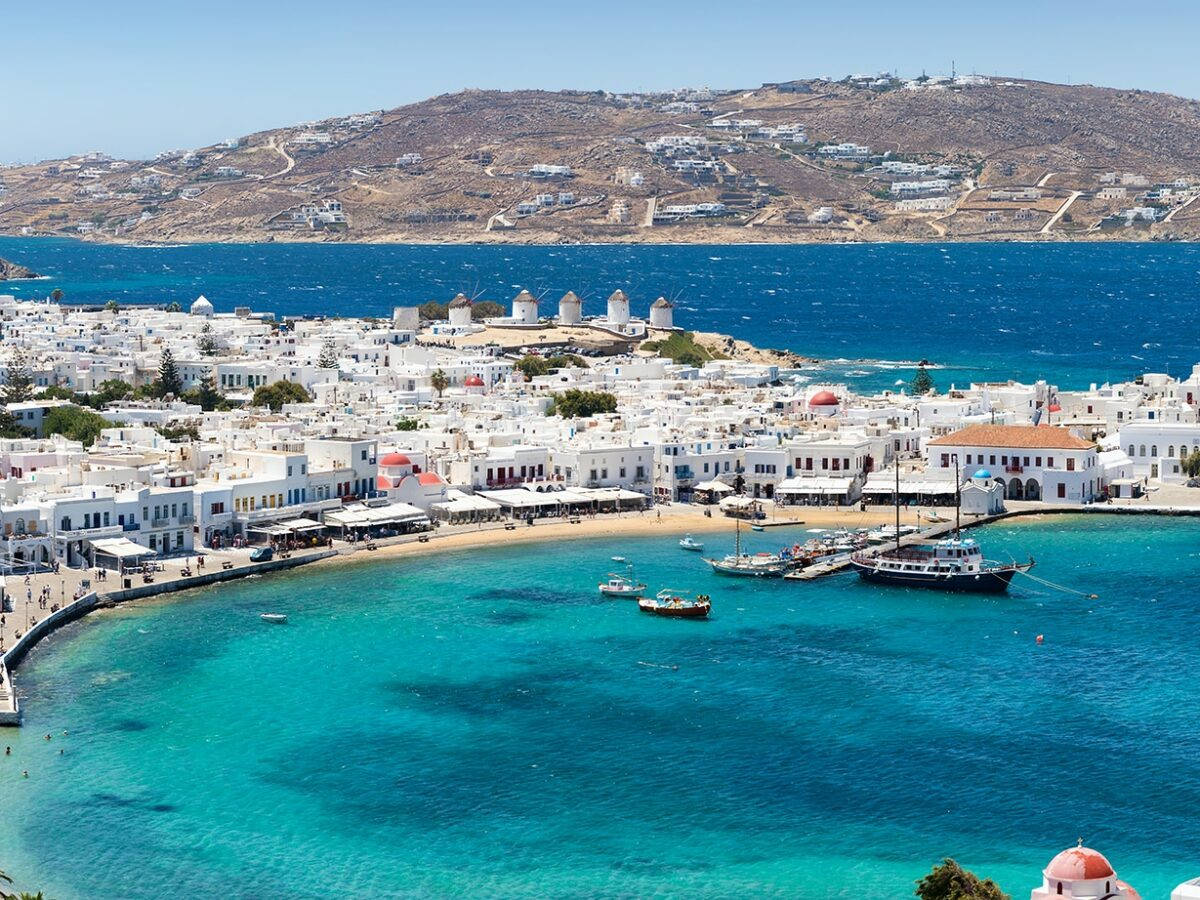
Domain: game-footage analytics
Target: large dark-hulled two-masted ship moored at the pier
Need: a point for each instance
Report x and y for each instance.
(953, 565)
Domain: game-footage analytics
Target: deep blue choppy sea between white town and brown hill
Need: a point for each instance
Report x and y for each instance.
(1070, 314)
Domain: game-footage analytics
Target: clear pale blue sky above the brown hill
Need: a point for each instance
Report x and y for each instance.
(133, 77)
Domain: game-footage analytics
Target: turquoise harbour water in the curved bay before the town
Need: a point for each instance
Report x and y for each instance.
(483, 724)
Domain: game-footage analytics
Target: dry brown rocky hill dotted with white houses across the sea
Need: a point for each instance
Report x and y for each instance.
(805, 161)
